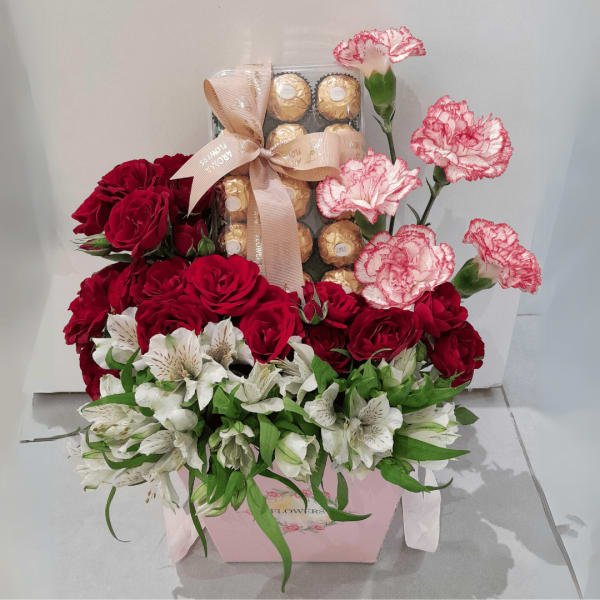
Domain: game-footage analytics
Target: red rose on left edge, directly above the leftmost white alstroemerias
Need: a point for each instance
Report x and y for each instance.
(91, 306)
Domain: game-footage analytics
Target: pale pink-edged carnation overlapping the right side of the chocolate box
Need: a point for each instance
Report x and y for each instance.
(373, 185)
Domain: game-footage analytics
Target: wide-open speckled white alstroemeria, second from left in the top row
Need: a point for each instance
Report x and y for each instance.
(178, 357)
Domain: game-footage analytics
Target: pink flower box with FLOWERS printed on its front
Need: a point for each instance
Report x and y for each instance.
(311, 535)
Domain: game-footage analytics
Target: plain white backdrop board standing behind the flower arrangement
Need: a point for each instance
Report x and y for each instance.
(112, 80)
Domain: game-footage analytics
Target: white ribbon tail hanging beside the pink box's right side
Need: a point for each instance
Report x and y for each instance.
(421, 514)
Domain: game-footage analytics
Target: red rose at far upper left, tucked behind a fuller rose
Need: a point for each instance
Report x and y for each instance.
(132, 175)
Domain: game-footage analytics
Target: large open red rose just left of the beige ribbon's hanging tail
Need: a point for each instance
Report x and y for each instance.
(227, 286)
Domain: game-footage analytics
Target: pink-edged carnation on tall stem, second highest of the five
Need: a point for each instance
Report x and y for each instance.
(450, 138)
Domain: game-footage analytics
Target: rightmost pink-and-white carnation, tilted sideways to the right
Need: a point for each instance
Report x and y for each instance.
(501, 257)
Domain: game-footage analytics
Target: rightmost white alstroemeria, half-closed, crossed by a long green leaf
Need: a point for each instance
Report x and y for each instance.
(434, 425)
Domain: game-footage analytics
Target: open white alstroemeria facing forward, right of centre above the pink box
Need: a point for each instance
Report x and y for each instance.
(367, 436)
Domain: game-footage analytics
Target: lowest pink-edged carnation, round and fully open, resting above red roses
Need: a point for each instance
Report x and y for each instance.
(398, 269)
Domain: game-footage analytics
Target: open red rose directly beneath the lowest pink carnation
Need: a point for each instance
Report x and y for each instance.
(374, 330)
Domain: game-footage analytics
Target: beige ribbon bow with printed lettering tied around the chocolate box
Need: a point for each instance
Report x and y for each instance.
(239, 100)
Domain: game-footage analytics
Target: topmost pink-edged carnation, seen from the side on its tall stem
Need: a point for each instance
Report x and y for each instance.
(374, 50)
